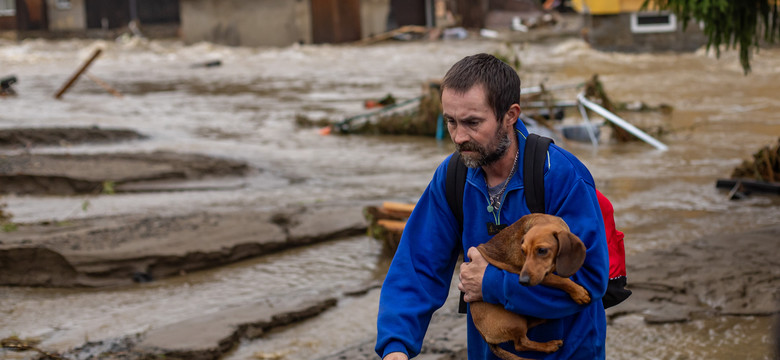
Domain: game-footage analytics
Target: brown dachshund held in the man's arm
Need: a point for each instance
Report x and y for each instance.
(533, 247)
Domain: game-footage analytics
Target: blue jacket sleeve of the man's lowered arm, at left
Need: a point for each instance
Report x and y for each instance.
(419, 277)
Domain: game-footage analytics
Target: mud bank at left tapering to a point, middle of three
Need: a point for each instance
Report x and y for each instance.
(69, 174)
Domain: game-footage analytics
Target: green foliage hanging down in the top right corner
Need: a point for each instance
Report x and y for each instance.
(741, 24)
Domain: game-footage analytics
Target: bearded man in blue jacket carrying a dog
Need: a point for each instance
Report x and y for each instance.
(480, 96)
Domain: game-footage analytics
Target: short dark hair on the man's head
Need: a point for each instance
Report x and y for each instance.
(501, 82)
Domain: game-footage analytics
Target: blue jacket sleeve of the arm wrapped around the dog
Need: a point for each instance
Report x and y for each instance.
(572, 197)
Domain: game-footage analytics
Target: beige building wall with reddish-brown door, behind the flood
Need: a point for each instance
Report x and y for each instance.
(284, 22)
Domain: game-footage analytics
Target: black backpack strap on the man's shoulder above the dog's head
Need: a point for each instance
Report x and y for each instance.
(533, 171)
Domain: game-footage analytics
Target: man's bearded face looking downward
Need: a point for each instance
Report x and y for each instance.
(473, 127)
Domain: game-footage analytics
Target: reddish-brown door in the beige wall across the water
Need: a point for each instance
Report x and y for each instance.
(335, 21)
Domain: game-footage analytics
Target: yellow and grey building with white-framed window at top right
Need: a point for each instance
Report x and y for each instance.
(622, 25)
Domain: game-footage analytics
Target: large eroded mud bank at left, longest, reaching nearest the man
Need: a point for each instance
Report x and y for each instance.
(120, 250)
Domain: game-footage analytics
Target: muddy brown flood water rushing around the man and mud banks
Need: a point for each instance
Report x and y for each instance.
(245, 109)
